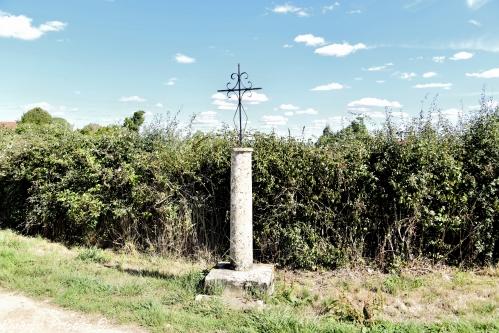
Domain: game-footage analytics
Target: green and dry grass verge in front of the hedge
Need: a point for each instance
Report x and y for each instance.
(159, 294)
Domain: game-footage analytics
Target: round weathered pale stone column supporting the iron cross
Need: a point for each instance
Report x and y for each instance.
(241, 209)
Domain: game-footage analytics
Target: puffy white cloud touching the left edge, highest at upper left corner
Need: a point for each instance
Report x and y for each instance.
(20, 27)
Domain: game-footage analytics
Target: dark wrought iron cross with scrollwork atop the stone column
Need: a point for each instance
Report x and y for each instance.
(239, 88)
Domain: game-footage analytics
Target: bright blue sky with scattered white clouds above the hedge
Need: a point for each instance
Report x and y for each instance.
(319, 62)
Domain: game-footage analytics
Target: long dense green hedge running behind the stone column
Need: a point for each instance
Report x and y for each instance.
(430, 192)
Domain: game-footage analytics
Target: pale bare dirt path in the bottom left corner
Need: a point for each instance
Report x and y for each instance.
(20, 314)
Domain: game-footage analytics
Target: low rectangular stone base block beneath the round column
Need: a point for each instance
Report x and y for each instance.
(259, 278)
